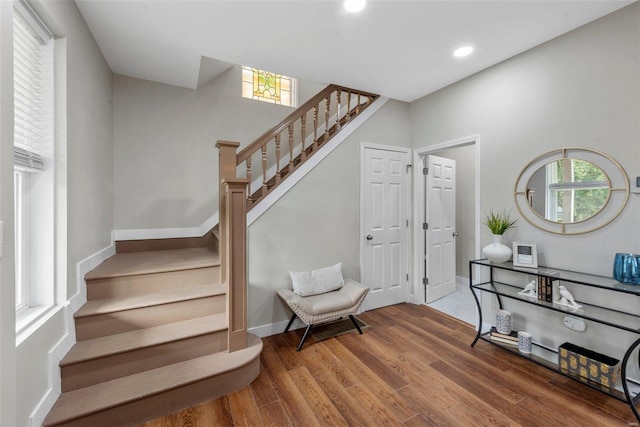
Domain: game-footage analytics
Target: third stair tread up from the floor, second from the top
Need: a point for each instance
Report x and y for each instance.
(110, 305)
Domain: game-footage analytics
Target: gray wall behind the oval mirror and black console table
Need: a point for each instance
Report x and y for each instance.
(581, 89)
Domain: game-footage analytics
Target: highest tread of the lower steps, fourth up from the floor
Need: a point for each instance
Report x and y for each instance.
(134, 263)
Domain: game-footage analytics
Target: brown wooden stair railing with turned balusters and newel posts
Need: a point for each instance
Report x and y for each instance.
(279, 152)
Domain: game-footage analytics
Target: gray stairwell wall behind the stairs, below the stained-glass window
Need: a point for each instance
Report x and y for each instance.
(166, 163)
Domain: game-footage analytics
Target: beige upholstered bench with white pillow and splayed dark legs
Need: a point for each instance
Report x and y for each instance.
(321, 296)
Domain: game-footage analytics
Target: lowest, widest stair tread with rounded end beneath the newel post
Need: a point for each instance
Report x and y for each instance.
(92, 399)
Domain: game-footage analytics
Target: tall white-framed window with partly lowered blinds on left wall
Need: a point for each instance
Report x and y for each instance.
(34, 167)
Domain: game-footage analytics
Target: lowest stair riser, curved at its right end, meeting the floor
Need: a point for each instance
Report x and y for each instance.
(141, 410)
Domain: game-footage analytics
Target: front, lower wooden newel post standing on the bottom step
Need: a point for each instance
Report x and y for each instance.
(235, 264)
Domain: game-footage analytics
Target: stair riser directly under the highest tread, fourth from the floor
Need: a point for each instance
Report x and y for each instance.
(144, 284)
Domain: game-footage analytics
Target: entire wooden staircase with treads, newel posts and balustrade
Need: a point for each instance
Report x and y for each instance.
(165, 323)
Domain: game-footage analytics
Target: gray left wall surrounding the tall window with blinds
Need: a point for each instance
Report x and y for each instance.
(88, 186)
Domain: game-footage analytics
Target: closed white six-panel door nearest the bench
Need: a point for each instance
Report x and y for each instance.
(384, 230)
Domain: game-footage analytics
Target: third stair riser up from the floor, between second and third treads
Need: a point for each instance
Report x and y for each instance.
(101, 325)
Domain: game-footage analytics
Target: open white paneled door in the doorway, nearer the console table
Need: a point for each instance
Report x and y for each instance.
(440, 232)
